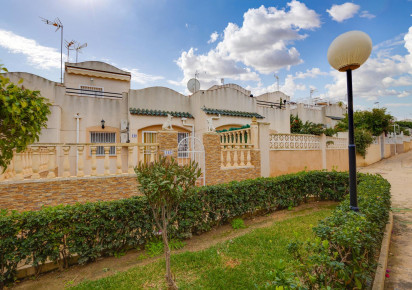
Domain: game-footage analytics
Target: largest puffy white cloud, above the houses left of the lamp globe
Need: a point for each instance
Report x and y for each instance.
(262, 44)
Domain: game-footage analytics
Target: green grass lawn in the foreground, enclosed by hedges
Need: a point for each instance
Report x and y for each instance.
(245, 262)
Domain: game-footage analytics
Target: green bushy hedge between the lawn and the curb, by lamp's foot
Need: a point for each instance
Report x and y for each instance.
(343, 254)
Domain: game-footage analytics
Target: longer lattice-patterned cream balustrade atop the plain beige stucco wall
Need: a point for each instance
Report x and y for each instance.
(294, 142)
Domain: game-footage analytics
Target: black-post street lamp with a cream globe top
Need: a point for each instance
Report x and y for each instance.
(348, 52)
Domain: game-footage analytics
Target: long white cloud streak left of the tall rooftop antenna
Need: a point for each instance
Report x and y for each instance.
(37, 55)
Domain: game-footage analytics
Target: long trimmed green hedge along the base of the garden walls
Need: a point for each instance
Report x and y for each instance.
(107, 228)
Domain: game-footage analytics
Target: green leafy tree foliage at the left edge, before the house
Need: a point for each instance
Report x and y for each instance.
(23, 113)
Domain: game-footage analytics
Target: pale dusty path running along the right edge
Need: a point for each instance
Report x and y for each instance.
(398, 171)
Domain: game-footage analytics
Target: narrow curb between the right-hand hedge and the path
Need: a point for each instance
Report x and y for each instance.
(379, 281)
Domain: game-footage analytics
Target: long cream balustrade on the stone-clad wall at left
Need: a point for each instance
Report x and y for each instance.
(78, 160)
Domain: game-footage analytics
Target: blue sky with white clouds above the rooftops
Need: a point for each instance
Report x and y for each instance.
(163, 43)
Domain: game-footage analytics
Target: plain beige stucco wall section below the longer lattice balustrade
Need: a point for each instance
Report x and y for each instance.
(284, 162)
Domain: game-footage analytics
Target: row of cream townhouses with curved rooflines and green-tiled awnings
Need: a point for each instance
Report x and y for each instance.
(95, 91)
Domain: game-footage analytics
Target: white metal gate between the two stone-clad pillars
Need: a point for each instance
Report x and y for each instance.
(191, 149)
